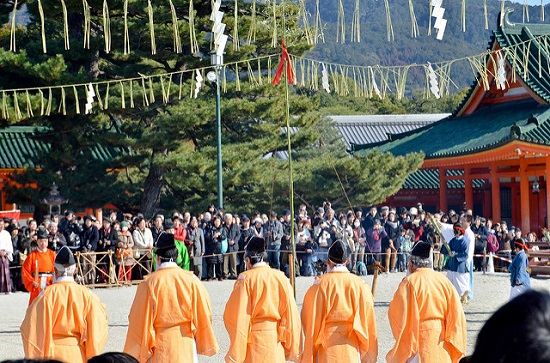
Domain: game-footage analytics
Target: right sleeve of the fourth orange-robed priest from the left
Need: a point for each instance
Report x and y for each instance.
(364, 326)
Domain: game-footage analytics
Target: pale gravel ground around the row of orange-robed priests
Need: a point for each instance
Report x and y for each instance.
(491, 291)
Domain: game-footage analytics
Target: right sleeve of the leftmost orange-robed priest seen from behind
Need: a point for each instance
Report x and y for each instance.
(97, 327)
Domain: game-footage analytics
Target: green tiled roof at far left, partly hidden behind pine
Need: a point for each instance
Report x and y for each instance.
(18, 148)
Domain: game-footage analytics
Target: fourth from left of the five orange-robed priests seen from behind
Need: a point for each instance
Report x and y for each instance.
(338, 315)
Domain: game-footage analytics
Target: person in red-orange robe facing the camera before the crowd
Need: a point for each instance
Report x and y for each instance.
(37, 270)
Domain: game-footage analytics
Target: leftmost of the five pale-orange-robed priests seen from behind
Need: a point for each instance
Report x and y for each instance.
(67, 322)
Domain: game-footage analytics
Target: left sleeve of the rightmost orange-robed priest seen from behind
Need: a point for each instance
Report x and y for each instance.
(404, 320)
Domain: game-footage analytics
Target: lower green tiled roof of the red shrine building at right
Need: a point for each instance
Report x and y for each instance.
(485, 129)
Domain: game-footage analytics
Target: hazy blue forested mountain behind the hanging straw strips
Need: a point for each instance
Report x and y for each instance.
(375, 49)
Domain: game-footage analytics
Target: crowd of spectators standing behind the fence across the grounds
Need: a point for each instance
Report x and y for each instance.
(215, 240)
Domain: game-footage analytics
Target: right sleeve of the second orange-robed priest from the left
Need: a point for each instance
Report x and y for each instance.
(202, 322)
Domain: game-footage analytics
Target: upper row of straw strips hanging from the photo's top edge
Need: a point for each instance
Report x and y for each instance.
(311, 25)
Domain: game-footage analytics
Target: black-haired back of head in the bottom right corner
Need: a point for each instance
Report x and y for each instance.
(517, 332)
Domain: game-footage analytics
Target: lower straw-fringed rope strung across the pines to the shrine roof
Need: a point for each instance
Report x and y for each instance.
(343, 80)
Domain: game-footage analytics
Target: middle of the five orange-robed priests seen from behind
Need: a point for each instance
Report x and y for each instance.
(261, 315)
